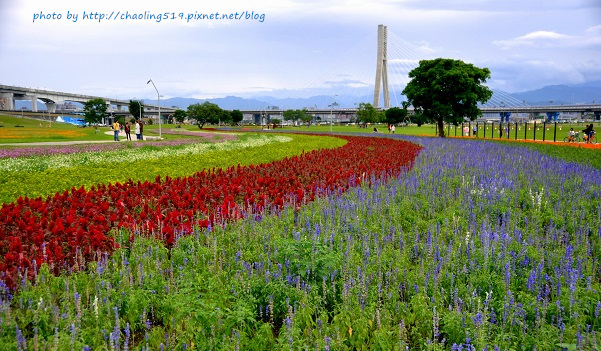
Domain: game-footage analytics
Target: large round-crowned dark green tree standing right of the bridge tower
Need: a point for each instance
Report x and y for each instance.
(447, 90)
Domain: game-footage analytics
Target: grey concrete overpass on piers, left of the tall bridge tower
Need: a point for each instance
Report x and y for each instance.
(9, 94)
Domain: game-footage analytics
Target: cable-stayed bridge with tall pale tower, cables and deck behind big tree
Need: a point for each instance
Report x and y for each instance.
(395, 58)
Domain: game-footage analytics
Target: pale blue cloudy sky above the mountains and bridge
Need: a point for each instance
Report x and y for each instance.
(289, 48)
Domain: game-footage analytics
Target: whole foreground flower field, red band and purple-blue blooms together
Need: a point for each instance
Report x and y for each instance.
(476, 247)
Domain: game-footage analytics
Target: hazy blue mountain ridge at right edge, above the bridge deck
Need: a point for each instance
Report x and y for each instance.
(562, 94)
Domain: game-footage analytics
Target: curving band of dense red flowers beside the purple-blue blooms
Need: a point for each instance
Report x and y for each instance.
(68, 229)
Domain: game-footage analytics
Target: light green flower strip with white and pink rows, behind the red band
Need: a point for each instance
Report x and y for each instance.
(47, 170)
